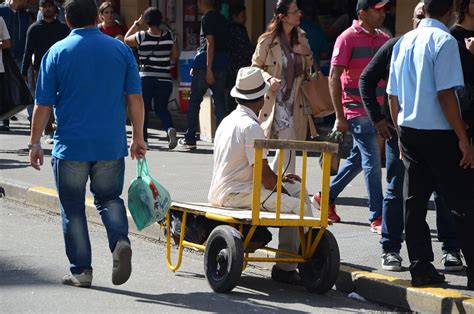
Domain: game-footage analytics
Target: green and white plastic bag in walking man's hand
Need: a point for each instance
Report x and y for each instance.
(148, 200)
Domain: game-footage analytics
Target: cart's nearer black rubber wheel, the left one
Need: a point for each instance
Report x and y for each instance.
(223, 258)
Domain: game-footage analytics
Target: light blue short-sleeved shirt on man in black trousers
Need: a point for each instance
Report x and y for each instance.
(424, 62)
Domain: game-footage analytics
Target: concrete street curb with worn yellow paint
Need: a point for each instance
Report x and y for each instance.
(370, 285)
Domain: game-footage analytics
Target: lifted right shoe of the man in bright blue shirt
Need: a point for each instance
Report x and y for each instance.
(122, 262)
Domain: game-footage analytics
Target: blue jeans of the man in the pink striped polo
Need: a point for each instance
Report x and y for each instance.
(364, 155)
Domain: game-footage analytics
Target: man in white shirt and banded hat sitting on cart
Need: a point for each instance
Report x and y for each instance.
(231, 184)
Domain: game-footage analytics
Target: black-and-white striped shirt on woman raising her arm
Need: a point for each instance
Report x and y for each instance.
(157, 65)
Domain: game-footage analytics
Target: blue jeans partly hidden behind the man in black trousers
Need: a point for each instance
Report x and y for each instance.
(392, 211)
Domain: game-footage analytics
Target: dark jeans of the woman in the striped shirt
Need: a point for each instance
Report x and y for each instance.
(159, 92)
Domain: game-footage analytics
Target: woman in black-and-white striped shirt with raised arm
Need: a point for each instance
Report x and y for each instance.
(156, 49)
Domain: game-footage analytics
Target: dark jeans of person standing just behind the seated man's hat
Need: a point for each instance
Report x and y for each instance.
(199, 87)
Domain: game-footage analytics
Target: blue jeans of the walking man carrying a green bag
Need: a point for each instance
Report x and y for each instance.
(106, 184)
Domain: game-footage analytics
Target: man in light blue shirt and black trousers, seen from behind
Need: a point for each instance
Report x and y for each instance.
(425, 72)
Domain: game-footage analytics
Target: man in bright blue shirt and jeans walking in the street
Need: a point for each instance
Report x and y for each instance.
(90, 142)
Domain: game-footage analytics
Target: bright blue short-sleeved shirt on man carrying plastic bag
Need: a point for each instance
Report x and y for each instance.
(85, 77)
